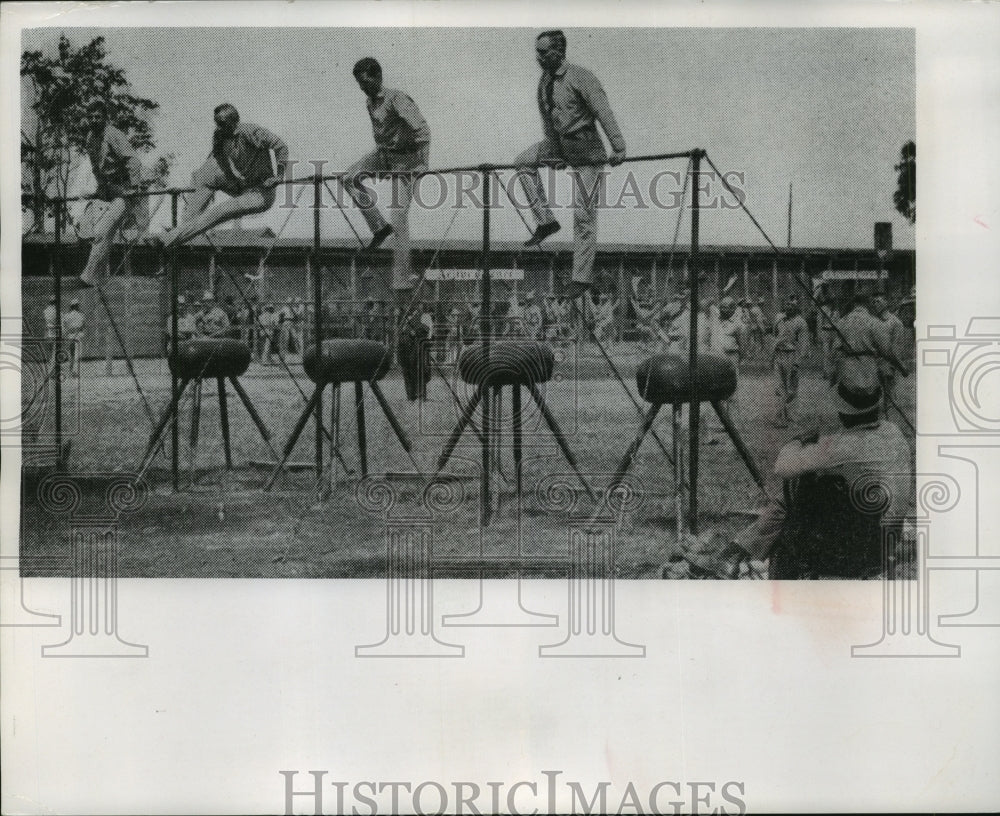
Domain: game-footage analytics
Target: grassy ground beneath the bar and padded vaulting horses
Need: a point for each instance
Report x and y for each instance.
(222, 525)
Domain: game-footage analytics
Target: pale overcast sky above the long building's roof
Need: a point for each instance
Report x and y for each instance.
(824, 109)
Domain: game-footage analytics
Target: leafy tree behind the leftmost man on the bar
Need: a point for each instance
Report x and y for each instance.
(53, 134)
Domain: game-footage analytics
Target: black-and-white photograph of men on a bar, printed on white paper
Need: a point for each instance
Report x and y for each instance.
(511, 335)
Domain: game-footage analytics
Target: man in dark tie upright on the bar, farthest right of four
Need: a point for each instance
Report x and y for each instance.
(571, 102)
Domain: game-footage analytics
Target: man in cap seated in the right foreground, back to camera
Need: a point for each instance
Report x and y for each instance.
(865, 448)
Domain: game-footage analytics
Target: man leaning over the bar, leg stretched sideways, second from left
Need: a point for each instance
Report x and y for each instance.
(247, 162)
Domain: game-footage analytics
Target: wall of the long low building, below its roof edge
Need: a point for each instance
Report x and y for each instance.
(141, 301)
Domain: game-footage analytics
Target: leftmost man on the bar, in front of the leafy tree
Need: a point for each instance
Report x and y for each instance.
(116, 170)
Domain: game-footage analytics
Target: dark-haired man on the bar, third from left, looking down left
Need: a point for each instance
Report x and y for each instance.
(402, 143)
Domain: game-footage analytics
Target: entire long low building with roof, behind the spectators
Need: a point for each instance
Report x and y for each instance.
(241, 263)
